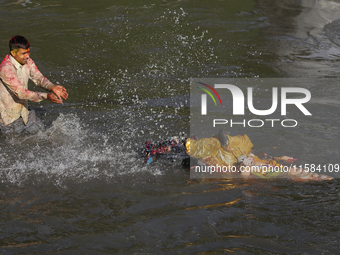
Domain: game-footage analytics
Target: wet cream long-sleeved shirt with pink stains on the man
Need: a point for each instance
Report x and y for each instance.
(14, 92)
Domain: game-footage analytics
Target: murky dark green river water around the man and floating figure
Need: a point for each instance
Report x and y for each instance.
(81, 187)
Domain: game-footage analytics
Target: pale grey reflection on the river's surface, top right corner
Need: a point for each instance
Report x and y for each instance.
(305, 38)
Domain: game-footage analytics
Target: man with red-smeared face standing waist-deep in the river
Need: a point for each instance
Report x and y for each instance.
(15, 71)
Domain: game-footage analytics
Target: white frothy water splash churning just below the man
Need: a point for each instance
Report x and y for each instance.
(67, 151)
